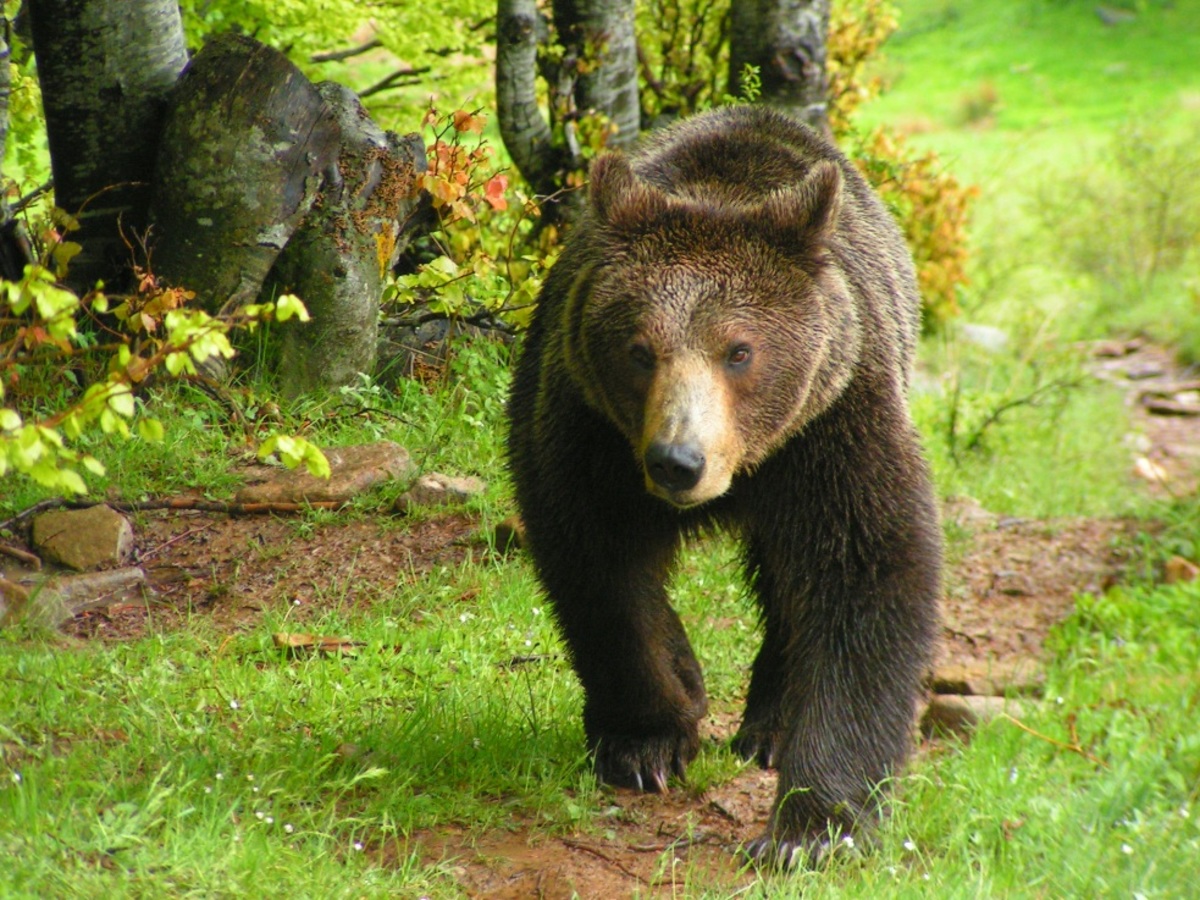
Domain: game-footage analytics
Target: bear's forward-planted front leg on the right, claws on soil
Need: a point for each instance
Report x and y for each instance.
(850, 608)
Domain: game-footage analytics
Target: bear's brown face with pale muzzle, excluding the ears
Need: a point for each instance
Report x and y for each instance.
(707, 362)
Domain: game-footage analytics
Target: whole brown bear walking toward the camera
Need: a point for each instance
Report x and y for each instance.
(727, 341)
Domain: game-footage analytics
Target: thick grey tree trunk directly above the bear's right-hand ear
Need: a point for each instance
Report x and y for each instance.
(787, 41)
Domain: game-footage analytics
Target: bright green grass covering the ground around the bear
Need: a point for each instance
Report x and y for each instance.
(201, 764)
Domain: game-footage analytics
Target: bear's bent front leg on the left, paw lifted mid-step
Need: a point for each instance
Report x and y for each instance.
(604, 549)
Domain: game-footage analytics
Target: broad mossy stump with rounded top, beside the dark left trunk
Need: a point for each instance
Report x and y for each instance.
(247, 145)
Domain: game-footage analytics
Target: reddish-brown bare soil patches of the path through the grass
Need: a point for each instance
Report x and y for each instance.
(1010, 581)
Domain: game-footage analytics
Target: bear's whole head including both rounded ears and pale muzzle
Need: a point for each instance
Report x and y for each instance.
(710, 323)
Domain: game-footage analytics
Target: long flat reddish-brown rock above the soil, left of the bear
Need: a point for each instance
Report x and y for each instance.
(353, 471)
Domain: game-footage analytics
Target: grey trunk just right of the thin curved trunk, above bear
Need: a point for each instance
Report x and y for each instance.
(599, 35)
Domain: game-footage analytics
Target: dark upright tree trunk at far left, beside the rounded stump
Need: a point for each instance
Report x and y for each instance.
(106, 69)
